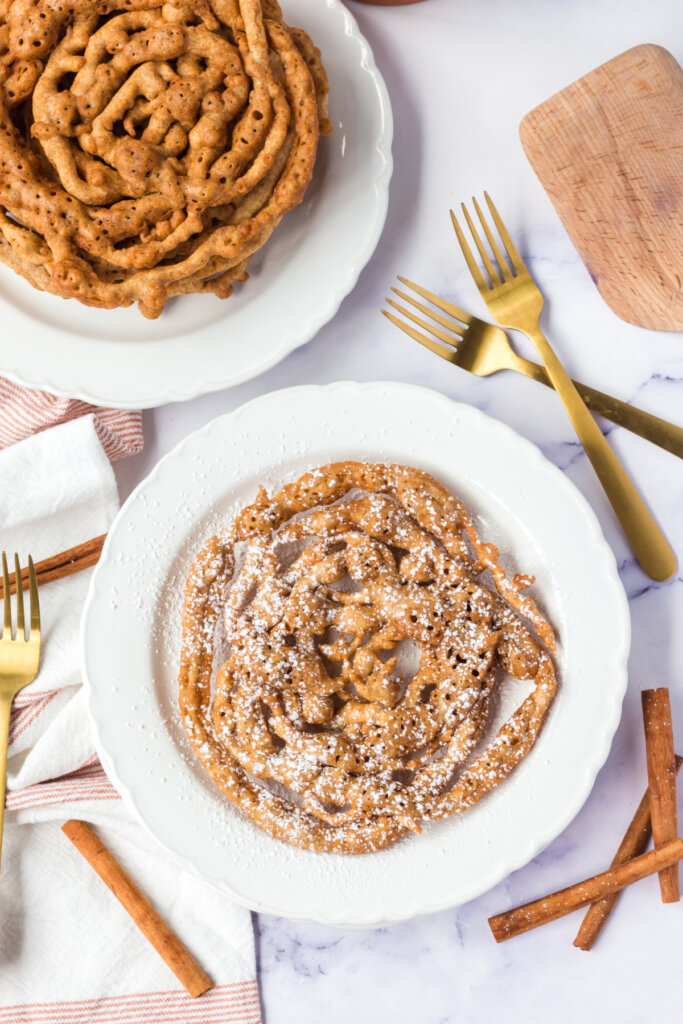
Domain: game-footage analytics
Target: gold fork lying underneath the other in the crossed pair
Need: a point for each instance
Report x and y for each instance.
(484, 350)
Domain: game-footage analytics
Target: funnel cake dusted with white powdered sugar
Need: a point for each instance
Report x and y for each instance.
(309, 726)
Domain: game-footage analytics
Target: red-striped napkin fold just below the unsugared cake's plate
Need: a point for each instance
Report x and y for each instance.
(25, 412)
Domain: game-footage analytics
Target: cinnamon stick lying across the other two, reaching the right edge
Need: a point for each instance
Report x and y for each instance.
(523, 919)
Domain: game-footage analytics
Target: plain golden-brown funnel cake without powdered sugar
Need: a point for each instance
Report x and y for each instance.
(148, 149)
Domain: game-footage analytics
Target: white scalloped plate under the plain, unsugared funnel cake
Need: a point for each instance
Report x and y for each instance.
(200, 344)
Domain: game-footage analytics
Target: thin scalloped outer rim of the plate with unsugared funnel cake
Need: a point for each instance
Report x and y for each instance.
(297, 337)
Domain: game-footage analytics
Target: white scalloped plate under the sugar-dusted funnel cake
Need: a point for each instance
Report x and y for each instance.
(133, 625)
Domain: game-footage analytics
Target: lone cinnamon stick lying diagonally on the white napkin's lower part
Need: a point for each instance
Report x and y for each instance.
(154, 928)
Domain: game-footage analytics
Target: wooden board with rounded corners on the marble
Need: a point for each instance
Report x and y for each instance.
(609, 151)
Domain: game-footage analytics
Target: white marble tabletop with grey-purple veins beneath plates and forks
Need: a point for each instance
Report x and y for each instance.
(461, 75)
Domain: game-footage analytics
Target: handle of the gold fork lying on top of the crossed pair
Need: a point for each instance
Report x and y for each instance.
(650, 545)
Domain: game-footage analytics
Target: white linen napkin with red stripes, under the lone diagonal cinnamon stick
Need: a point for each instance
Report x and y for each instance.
(69, 953)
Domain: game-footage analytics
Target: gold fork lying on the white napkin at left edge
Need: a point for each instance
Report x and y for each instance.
(19, 661)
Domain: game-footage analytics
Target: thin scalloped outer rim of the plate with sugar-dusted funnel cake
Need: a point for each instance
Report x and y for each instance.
(602, 745)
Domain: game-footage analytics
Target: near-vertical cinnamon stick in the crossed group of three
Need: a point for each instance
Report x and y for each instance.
(662, 782)
